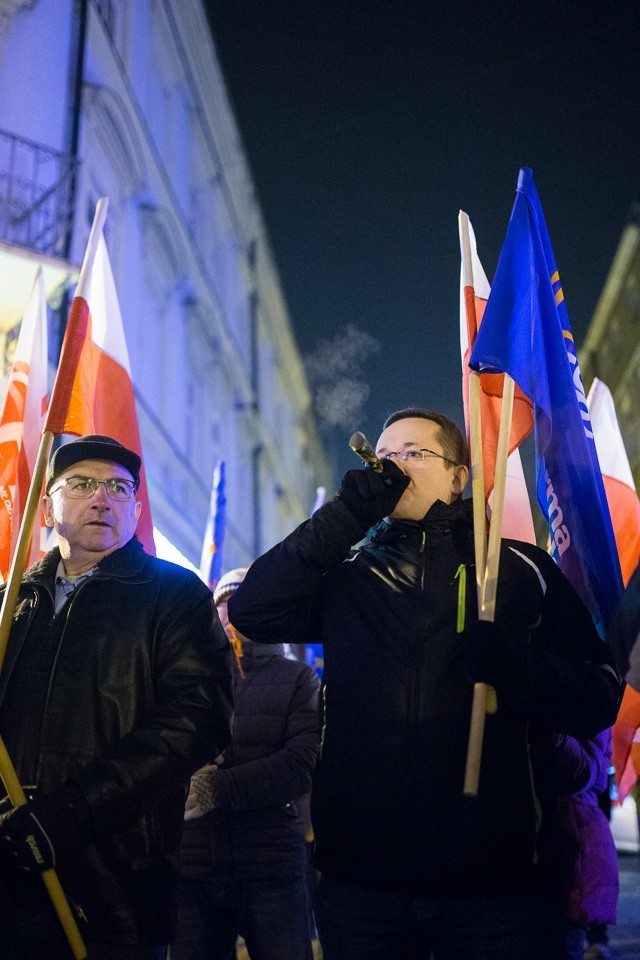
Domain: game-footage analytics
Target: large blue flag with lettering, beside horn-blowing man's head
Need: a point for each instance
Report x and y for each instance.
(526, 333)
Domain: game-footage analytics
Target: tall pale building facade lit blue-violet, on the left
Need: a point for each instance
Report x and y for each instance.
(126, 100)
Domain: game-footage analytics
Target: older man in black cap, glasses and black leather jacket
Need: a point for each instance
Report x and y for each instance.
(115, 688)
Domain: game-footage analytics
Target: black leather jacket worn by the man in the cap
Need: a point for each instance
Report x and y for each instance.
(139, 696)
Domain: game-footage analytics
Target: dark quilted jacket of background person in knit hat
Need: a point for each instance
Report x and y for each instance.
(257, 830)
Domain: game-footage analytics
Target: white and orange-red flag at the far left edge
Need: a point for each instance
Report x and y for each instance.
(21, 421)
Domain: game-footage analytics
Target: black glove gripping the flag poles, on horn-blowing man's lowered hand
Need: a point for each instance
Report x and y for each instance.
(492, 657)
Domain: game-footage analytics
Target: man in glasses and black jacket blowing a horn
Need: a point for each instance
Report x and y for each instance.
(408, 863)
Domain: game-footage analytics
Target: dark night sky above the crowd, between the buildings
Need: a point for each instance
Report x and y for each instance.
(367, 125)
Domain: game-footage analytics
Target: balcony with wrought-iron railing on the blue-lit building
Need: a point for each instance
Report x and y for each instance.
(36, 202)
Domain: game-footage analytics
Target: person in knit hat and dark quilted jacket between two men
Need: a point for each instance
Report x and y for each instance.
(244, 857)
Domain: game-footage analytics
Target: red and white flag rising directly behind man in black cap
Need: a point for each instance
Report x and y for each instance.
(94, 386)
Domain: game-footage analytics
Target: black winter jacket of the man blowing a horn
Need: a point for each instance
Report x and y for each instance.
(387, 802)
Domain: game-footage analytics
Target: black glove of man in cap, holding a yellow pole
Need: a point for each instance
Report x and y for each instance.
(33, 835)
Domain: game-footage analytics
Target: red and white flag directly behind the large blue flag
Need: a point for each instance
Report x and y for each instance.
(517, 522)
